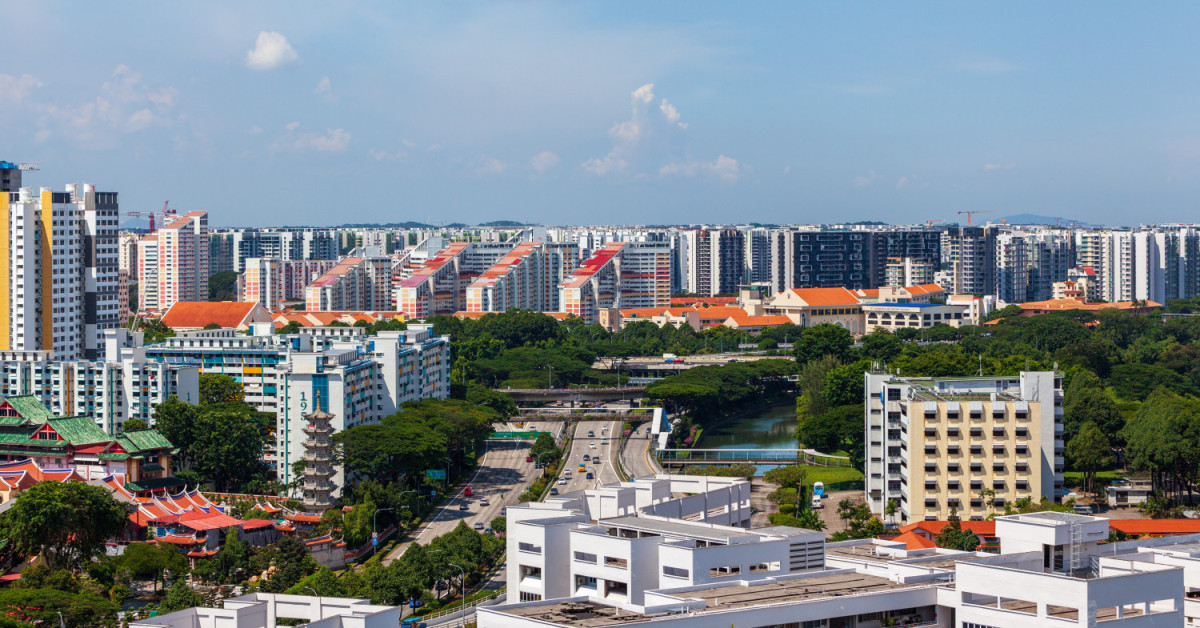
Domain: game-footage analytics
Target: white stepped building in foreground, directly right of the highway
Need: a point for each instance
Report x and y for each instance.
(617, 542)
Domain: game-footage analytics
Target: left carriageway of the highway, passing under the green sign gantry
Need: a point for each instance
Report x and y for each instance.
(503, 474)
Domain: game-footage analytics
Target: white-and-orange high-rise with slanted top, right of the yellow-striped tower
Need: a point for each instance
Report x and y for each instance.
(176, 261)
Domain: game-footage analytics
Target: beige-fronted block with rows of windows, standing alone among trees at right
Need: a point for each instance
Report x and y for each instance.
(965, 444)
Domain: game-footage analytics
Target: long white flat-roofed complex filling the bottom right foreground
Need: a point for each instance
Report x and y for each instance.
(873, 583)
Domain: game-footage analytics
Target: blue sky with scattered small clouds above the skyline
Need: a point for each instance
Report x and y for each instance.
(298, 113)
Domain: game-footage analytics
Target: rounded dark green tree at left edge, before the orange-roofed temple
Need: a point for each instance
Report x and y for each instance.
(67, 524)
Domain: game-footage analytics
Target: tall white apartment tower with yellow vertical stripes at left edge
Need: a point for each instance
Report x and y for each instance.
(59, 270)
